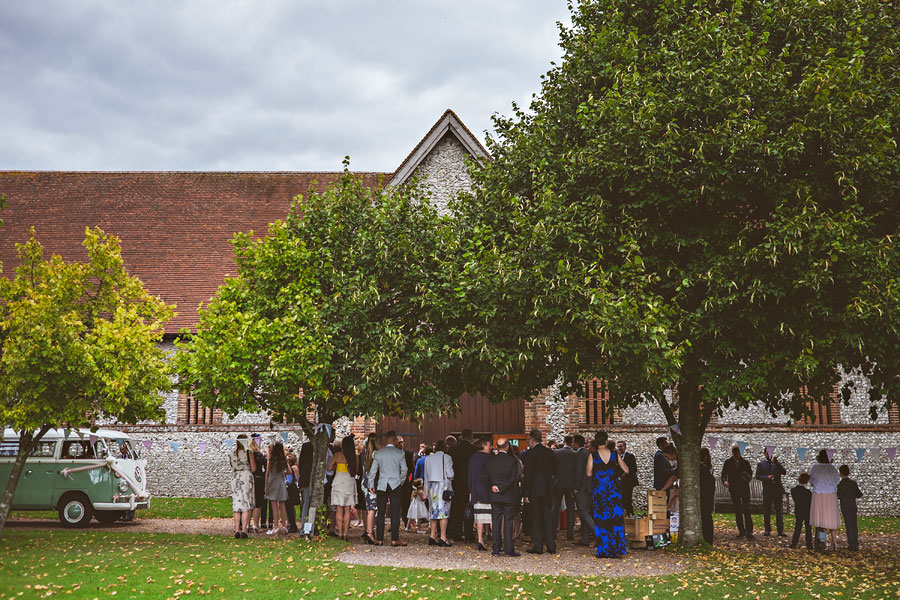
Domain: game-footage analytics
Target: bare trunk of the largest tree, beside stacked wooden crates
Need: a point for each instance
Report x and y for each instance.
(691, 424)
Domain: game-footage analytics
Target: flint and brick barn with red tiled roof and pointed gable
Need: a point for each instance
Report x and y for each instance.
(175, 229)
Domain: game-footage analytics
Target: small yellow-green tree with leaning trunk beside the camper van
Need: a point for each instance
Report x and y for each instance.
(76, 339)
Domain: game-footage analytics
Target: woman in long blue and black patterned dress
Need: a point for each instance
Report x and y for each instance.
(609, 517)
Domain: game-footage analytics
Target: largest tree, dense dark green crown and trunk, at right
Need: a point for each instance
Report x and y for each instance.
(721, 180)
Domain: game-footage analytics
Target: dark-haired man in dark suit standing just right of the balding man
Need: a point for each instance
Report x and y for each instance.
(540, 479)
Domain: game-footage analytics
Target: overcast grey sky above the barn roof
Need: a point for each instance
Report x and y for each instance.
(258, 85)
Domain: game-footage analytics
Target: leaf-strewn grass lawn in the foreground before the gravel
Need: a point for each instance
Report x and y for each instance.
(89, 564)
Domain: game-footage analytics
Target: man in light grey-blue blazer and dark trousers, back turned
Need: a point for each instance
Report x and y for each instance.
(389, 471)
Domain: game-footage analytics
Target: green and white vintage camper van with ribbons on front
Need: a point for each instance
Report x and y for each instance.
(79, 474)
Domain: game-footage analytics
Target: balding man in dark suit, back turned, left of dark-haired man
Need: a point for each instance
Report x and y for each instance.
(502, 474)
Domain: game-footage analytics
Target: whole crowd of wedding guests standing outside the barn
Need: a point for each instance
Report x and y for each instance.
(468, 490)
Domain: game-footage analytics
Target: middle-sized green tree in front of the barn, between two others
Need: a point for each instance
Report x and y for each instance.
(327, 315)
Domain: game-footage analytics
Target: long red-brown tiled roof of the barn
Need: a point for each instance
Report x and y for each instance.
(175, 227)
